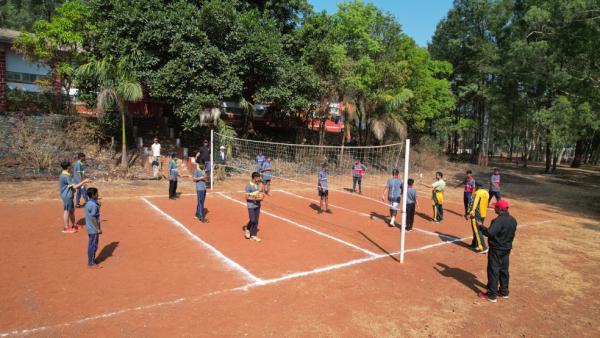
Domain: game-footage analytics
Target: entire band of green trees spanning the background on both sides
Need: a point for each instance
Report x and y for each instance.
(522, 75)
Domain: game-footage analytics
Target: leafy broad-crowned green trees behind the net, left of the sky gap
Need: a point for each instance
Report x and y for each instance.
(195, 54)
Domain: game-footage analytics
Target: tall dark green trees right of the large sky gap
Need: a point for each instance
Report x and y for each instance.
(526, 77)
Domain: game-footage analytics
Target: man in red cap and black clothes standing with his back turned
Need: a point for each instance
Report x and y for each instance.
(500, 234)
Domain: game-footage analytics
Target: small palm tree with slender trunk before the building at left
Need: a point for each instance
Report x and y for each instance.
(117, 84)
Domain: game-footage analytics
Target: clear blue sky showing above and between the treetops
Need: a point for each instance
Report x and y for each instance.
(417, 17)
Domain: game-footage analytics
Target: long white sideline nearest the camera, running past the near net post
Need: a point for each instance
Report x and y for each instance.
(241, 288)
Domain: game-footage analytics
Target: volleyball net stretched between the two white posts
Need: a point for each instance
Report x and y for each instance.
(300, 164)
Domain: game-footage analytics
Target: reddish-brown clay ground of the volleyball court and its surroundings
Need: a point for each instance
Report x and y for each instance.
(158, 280)
